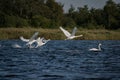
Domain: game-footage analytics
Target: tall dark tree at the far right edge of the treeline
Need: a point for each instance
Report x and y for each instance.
(112, 10)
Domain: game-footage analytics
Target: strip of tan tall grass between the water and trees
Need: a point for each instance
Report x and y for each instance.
(57, 34)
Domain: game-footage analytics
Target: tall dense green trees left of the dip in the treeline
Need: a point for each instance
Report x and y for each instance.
(35, 13)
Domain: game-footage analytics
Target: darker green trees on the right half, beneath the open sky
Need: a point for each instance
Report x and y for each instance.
(108, 17)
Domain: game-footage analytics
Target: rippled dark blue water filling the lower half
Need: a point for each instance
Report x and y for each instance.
(60, 60)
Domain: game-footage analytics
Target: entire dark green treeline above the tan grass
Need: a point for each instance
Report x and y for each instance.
(50, 14)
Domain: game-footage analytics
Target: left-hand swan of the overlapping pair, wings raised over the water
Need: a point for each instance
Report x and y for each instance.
(31, 40)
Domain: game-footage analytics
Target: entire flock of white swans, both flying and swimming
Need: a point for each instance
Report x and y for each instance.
(42, 41)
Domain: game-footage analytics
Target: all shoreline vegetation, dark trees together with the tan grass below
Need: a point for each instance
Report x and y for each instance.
(24, 17)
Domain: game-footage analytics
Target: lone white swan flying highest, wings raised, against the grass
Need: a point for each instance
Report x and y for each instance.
(68, 35)
